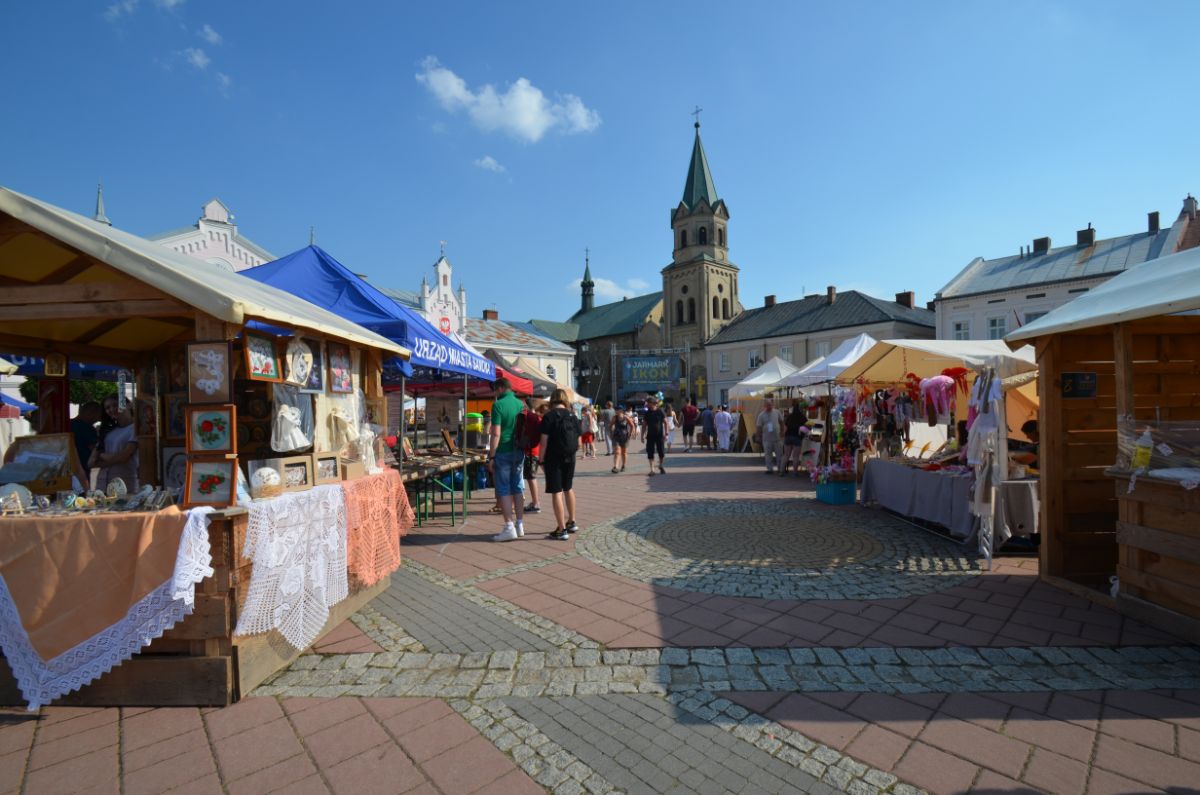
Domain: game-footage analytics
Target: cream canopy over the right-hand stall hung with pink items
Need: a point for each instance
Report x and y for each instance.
(891, 361)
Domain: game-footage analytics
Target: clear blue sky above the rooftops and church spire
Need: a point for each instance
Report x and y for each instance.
(874, 146)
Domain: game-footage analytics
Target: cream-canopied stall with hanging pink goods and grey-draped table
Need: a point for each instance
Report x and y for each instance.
(899, 392)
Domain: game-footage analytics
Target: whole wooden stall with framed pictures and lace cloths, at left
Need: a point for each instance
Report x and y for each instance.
(250, 516)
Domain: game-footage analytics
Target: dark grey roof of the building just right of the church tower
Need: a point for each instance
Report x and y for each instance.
(815, 314)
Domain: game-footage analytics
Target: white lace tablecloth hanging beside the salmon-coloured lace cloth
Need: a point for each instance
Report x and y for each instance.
(298, 546)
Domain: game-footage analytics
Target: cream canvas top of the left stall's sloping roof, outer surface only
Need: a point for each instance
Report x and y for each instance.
(211, 289)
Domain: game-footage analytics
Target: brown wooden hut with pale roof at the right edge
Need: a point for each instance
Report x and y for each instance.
(1120, 423)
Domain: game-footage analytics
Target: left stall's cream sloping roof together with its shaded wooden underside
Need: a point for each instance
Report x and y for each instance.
(56, 238)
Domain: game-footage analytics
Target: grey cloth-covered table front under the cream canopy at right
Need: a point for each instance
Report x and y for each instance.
(939, 498)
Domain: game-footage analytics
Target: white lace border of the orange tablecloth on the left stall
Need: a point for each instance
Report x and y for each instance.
(41, 680)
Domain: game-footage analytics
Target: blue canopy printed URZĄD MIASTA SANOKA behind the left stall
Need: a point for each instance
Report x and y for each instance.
(315, 277)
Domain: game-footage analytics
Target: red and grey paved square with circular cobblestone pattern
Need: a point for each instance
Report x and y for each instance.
(712, 630)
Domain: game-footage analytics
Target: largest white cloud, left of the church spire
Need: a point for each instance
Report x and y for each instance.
(521, 111)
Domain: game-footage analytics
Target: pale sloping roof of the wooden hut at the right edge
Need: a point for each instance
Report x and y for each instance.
(1165, 286)
